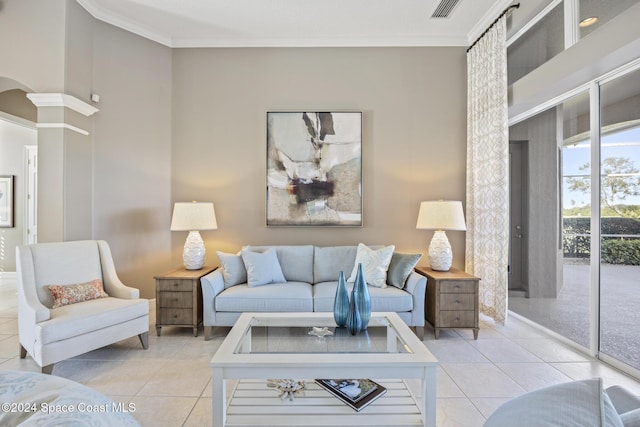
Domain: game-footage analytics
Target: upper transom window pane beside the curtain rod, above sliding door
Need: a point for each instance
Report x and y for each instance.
(542, 42)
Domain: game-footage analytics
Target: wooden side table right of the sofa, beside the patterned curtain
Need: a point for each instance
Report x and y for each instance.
(452, 300)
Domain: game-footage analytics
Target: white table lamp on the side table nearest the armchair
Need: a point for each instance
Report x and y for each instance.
(193, 217)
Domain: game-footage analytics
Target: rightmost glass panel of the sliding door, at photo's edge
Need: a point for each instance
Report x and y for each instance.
(620, 219)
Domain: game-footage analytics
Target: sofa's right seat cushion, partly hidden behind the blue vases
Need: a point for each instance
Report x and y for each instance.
(382, 299)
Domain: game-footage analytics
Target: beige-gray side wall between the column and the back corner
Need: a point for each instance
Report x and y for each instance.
(131, 153)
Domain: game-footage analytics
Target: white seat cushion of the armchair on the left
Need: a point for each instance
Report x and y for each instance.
(85, 317)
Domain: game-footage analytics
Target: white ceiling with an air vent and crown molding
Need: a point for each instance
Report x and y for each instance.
(263, 23)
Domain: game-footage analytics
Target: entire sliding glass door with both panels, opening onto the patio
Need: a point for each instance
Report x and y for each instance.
(581, 227)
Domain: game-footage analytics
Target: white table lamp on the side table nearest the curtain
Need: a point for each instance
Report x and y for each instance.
(441, 215)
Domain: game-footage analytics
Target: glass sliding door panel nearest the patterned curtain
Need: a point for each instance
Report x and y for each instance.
(556, 229)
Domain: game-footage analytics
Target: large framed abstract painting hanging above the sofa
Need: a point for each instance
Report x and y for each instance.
(314, 169)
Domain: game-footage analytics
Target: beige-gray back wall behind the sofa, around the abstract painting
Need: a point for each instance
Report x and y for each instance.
(414, 136)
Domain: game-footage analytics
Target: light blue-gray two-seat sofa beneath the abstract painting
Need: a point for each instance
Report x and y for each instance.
(311, 274)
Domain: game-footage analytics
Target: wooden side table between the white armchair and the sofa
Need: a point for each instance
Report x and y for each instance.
(179, 298)
